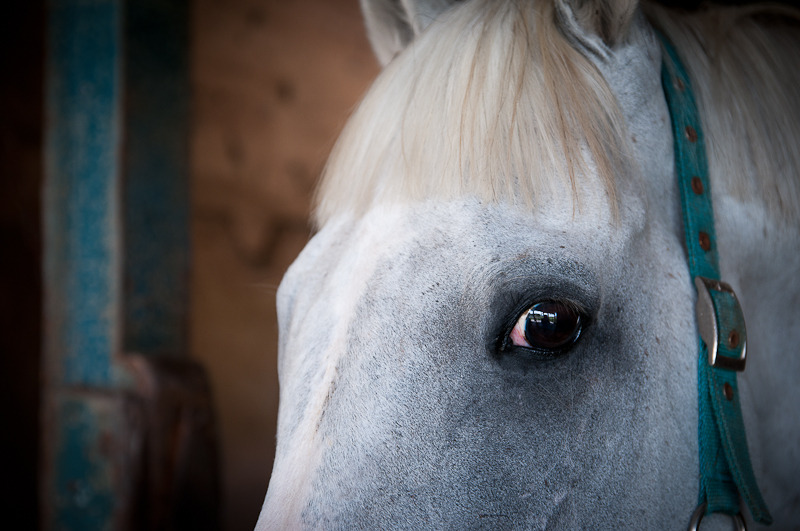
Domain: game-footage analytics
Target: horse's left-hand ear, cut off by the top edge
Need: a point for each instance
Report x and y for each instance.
(393, 24)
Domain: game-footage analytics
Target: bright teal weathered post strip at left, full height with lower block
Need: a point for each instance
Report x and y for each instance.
(82, 264)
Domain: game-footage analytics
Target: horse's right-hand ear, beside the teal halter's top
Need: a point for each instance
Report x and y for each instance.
(596, 24)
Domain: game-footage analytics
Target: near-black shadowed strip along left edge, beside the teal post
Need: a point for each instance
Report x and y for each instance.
(21, 68)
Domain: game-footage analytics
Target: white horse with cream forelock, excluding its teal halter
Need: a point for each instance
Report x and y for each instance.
(516, 157)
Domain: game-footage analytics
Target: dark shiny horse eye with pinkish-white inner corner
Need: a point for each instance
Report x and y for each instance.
(548, 326)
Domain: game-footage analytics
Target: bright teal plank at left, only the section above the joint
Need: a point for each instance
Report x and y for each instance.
(81, 191)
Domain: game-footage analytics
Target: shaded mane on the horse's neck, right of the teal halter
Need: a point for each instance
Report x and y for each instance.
(745, 69)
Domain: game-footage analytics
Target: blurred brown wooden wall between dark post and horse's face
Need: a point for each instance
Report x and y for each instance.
(273, 84)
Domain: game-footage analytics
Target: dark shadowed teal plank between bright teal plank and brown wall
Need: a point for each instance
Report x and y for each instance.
(156, 188)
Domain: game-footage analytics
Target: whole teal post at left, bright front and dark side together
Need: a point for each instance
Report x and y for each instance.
(115, 206)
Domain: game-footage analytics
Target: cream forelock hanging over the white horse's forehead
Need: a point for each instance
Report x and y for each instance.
(492, 102)
